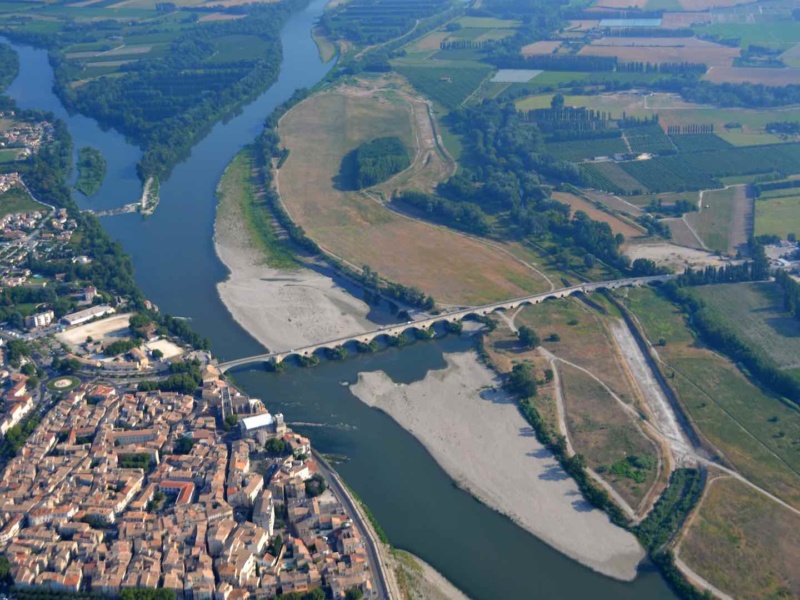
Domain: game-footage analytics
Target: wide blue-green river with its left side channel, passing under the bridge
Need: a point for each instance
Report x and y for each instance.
(417, 504)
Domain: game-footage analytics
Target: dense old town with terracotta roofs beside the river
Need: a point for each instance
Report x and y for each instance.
(208, 496)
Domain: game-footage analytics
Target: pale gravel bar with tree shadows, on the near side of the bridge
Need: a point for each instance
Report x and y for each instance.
(475, 432)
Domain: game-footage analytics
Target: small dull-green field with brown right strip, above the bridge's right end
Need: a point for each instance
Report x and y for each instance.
(717, 223)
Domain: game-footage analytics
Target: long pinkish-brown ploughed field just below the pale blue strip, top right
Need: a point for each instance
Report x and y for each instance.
(680, 50)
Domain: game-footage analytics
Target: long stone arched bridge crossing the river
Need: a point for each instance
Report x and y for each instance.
(451, 317)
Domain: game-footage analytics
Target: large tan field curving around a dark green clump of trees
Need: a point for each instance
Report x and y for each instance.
(319, 132)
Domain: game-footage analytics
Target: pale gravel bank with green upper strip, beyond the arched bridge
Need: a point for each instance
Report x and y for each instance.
(281, 308)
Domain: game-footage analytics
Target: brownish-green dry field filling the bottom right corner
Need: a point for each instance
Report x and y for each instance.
(744, 543)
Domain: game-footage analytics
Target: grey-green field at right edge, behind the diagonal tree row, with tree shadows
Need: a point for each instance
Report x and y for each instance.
(755, 311)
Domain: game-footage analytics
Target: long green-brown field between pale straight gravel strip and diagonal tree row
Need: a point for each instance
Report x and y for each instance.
(754, 431)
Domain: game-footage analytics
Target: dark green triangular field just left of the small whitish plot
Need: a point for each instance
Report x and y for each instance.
(448, 86)
